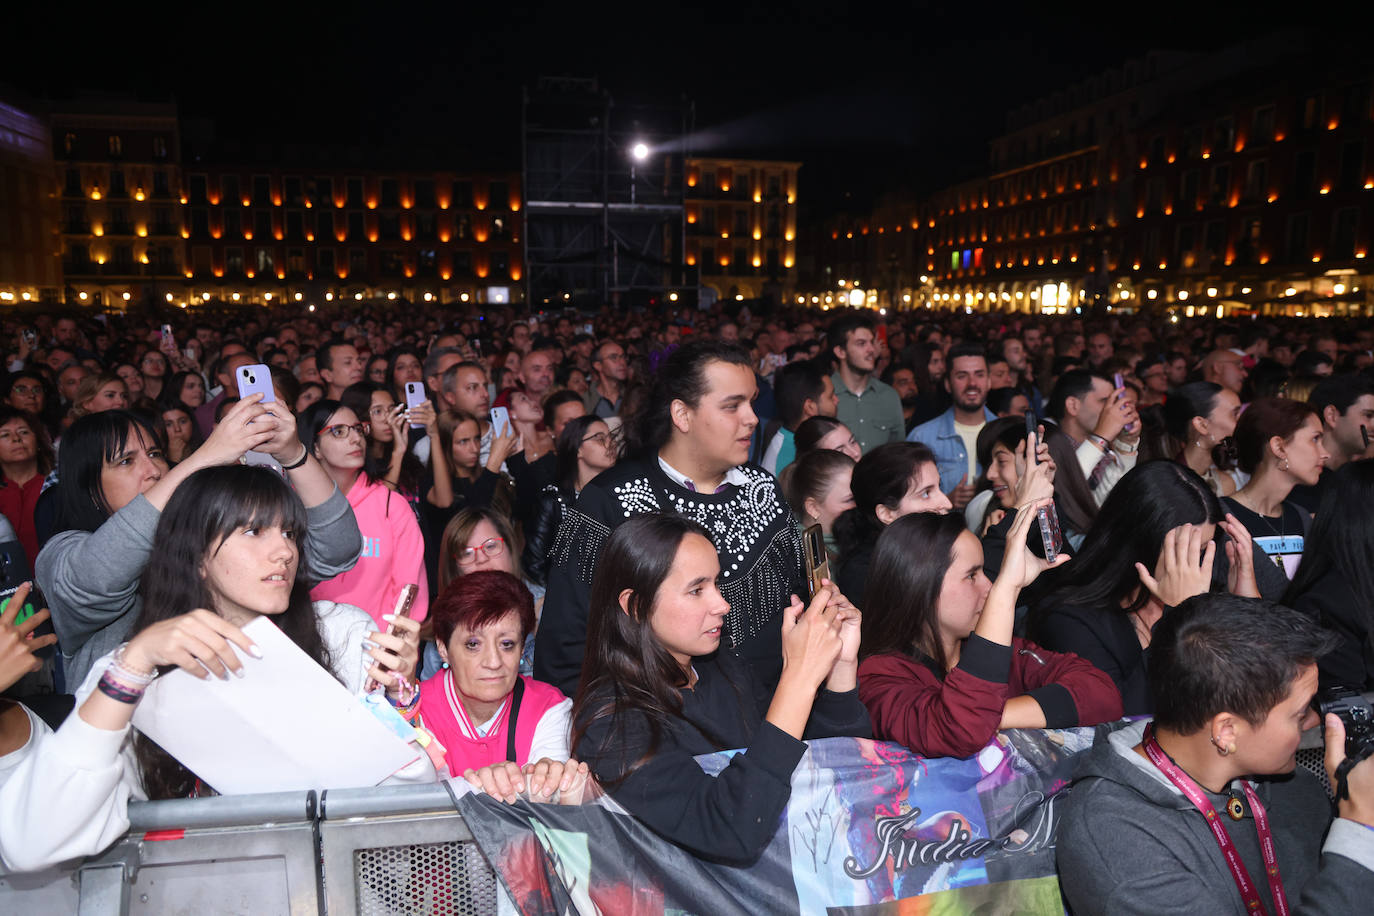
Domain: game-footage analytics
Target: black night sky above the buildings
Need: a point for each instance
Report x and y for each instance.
(866, 97)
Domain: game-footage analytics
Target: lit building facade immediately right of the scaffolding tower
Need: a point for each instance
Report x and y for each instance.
(743, 226)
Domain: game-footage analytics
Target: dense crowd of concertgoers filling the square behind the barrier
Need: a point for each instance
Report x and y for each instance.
(1030, 523)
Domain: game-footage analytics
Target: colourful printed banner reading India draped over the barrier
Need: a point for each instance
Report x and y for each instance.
(872, 830)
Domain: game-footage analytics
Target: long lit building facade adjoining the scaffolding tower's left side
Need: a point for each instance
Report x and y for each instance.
(346, 233)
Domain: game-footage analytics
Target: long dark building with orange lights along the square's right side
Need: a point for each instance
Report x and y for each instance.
(1230, 183)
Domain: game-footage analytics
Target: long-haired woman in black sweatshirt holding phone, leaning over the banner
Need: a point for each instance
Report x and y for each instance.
(660, 689)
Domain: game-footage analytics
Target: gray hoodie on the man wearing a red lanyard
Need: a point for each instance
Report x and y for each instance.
(1133, 844)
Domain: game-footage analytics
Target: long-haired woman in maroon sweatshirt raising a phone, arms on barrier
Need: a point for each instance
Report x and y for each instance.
(941, 671)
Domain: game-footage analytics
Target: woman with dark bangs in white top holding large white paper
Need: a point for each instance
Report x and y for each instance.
(227, 545)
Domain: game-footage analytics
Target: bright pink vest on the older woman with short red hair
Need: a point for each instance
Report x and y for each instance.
(438, 700)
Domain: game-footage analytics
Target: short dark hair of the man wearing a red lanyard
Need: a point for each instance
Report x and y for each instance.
(1219, 653)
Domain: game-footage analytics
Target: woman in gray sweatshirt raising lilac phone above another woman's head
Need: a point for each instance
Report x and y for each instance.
(115, 483)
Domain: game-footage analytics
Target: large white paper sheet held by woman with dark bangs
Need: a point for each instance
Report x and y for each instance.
(285, 726)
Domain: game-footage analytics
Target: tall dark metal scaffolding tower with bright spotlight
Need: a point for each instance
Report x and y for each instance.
(604, 197)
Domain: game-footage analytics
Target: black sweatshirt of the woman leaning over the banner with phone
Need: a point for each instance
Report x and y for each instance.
(728, 818)
